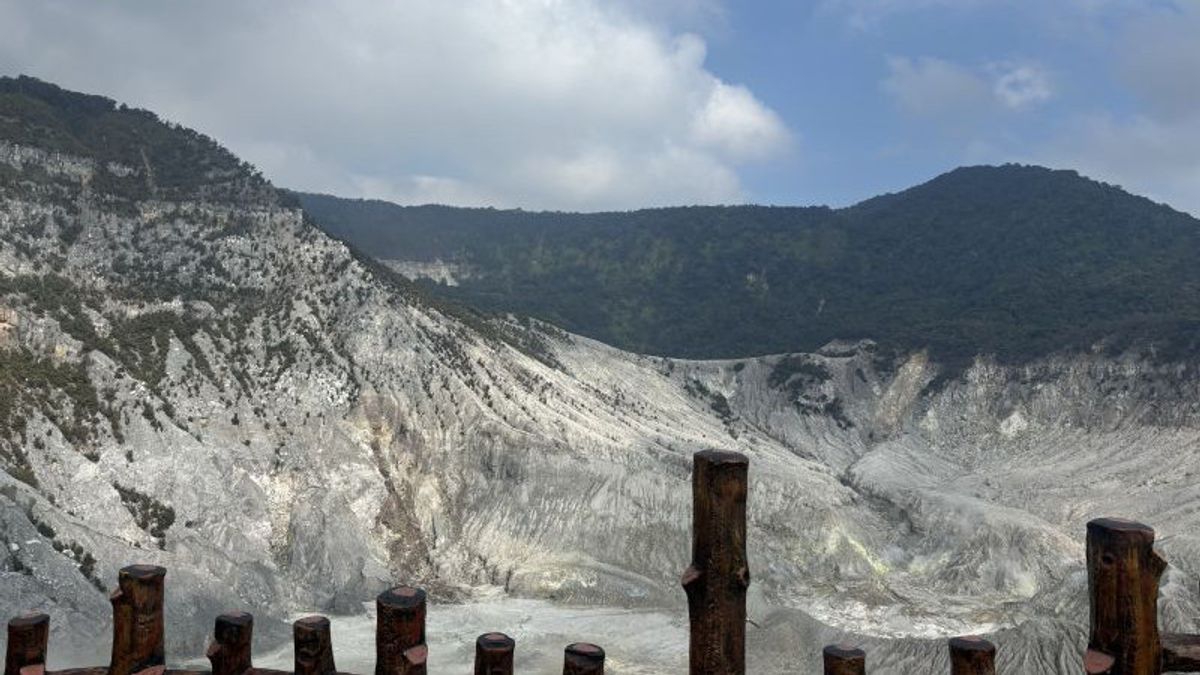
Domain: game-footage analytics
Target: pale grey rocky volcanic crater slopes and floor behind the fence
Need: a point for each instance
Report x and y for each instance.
(194, 375)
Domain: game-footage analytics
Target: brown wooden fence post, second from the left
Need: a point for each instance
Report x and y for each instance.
(137, 620)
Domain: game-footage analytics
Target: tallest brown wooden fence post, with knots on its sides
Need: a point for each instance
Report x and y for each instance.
(718, 578)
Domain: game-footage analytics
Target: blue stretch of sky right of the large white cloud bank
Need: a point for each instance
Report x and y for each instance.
(886, 94)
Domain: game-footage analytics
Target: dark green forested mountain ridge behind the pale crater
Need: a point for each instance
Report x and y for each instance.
(1017, 262)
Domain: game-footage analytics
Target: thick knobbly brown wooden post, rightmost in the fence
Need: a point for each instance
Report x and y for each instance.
(1123, 588)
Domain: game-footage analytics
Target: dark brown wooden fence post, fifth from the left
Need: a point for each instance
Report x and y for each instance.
(400, 632)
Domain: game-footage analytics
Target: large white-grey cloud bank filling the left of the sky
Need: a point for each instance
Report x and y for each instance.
(541, 104)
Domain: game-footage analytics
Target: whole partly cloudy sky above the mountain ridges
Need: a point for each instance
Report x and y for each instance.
(590, 105)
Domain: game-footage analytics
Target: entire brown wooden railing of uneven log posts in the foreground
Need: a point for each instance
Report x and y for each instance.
(1123, 581)
